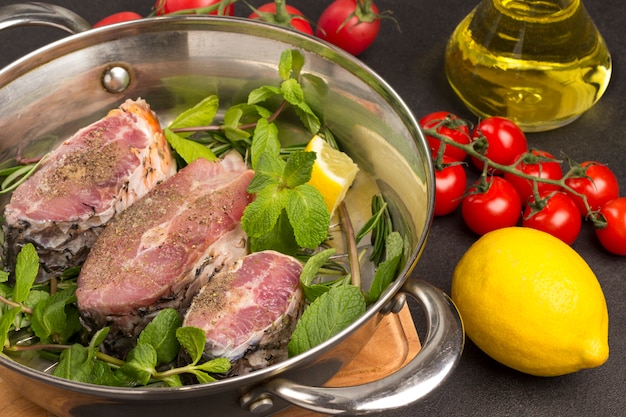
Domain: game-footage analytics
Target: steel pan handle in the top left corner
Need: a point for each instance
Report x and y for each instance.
(42, 14)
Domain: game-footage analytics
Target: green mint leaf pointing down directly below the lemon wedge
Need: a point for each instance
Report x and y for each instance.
(308, 215)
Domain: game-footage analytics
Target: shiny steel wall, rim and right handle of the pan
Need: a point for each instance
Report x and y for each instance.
(173, 63)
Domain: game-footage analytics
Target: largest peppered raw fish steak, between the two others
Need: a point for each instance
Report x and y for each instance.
(160, 251)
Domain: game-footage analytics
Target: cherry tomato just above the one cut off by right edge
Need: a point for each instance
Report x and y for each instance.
(597, 182)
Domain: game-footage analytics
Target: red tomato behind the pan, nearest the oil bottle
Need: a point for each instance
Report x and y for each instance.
(352, 25)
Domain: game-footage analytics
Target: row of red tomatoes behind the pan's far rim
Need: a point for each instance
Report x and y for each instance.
(352, 25)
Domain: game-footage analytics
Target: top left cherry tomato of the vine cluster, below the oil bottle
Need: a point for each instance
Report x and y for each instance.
(452, 127)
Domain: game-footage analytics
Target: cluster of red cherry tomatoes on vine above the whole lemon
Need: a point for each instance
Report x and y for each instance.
(520, 184)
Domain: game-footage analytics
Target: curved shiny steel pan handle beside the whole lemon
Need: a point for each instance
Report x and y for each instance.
(434, 362)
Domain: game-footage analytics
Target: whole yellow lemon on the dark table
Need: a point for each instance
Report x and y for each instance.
(532, 303)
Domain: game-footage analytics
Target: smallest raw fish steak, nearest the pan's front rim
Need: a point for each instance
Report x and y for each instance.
(249, 310)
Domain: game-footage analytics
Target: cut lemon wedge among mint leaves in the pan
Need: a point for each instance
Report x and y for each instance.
(333, 172)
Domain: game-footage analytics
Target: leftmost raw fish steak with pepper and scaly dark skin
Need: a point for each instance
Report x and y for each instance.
(98, 172)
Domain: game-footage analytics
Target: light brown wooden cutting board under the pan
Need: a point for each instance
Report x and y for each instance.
(394, 343)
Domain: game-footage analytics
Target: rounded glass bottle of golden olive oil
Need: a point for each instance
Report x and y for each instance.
(540, 63)
